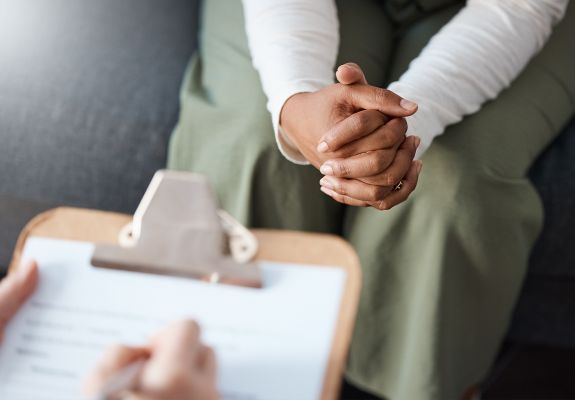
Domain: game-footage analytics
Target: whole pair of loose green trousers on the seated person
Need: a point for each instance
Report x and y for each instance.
(442, 271)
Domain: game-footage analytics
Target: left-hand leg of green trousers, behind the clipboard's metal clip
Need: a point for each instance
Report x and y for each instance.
(225, 132)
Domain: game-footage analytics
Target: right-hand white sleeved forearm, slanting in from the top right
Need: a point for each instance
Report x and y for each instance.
(472, 59)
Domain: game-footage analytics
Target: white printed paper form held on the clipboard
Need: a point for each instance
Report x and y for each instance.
(271, 343)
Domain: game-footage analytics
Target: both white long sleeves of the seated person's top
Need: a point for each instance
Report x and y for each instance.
(475, 56)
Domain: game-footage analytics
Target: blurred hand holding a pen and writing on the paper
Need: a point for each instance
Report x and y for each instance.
(178, 367)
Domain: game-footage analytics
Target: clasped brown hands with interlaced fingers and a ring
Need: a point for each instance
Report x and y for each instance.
(355, 134)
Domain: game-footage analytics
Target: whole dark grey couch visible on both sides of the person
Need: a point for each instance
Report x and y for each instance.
(88, 98)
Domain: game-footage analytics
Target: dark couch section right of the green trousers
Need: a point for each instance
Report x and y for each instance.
(545, 310)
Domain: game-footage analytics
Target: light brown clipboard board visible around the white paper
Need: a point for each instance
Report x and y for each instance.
(104, 228)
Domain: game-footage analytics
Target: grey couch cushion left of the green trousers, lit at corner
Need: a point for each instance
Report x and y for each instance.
(89, 96)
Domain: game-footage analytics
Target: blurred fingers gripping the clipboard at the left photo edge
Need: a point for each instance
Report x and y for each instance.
(15, 290)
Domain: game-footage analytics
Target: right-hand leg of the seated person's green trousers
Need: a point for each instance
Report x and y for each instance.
(458, 248)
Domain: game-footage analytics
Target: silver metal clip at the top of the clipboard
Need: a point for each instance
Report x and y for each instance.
(178, 230)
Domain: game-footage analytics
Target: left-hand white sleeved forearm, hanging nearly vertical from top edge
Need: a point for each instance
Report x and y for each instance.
(294, 45)
